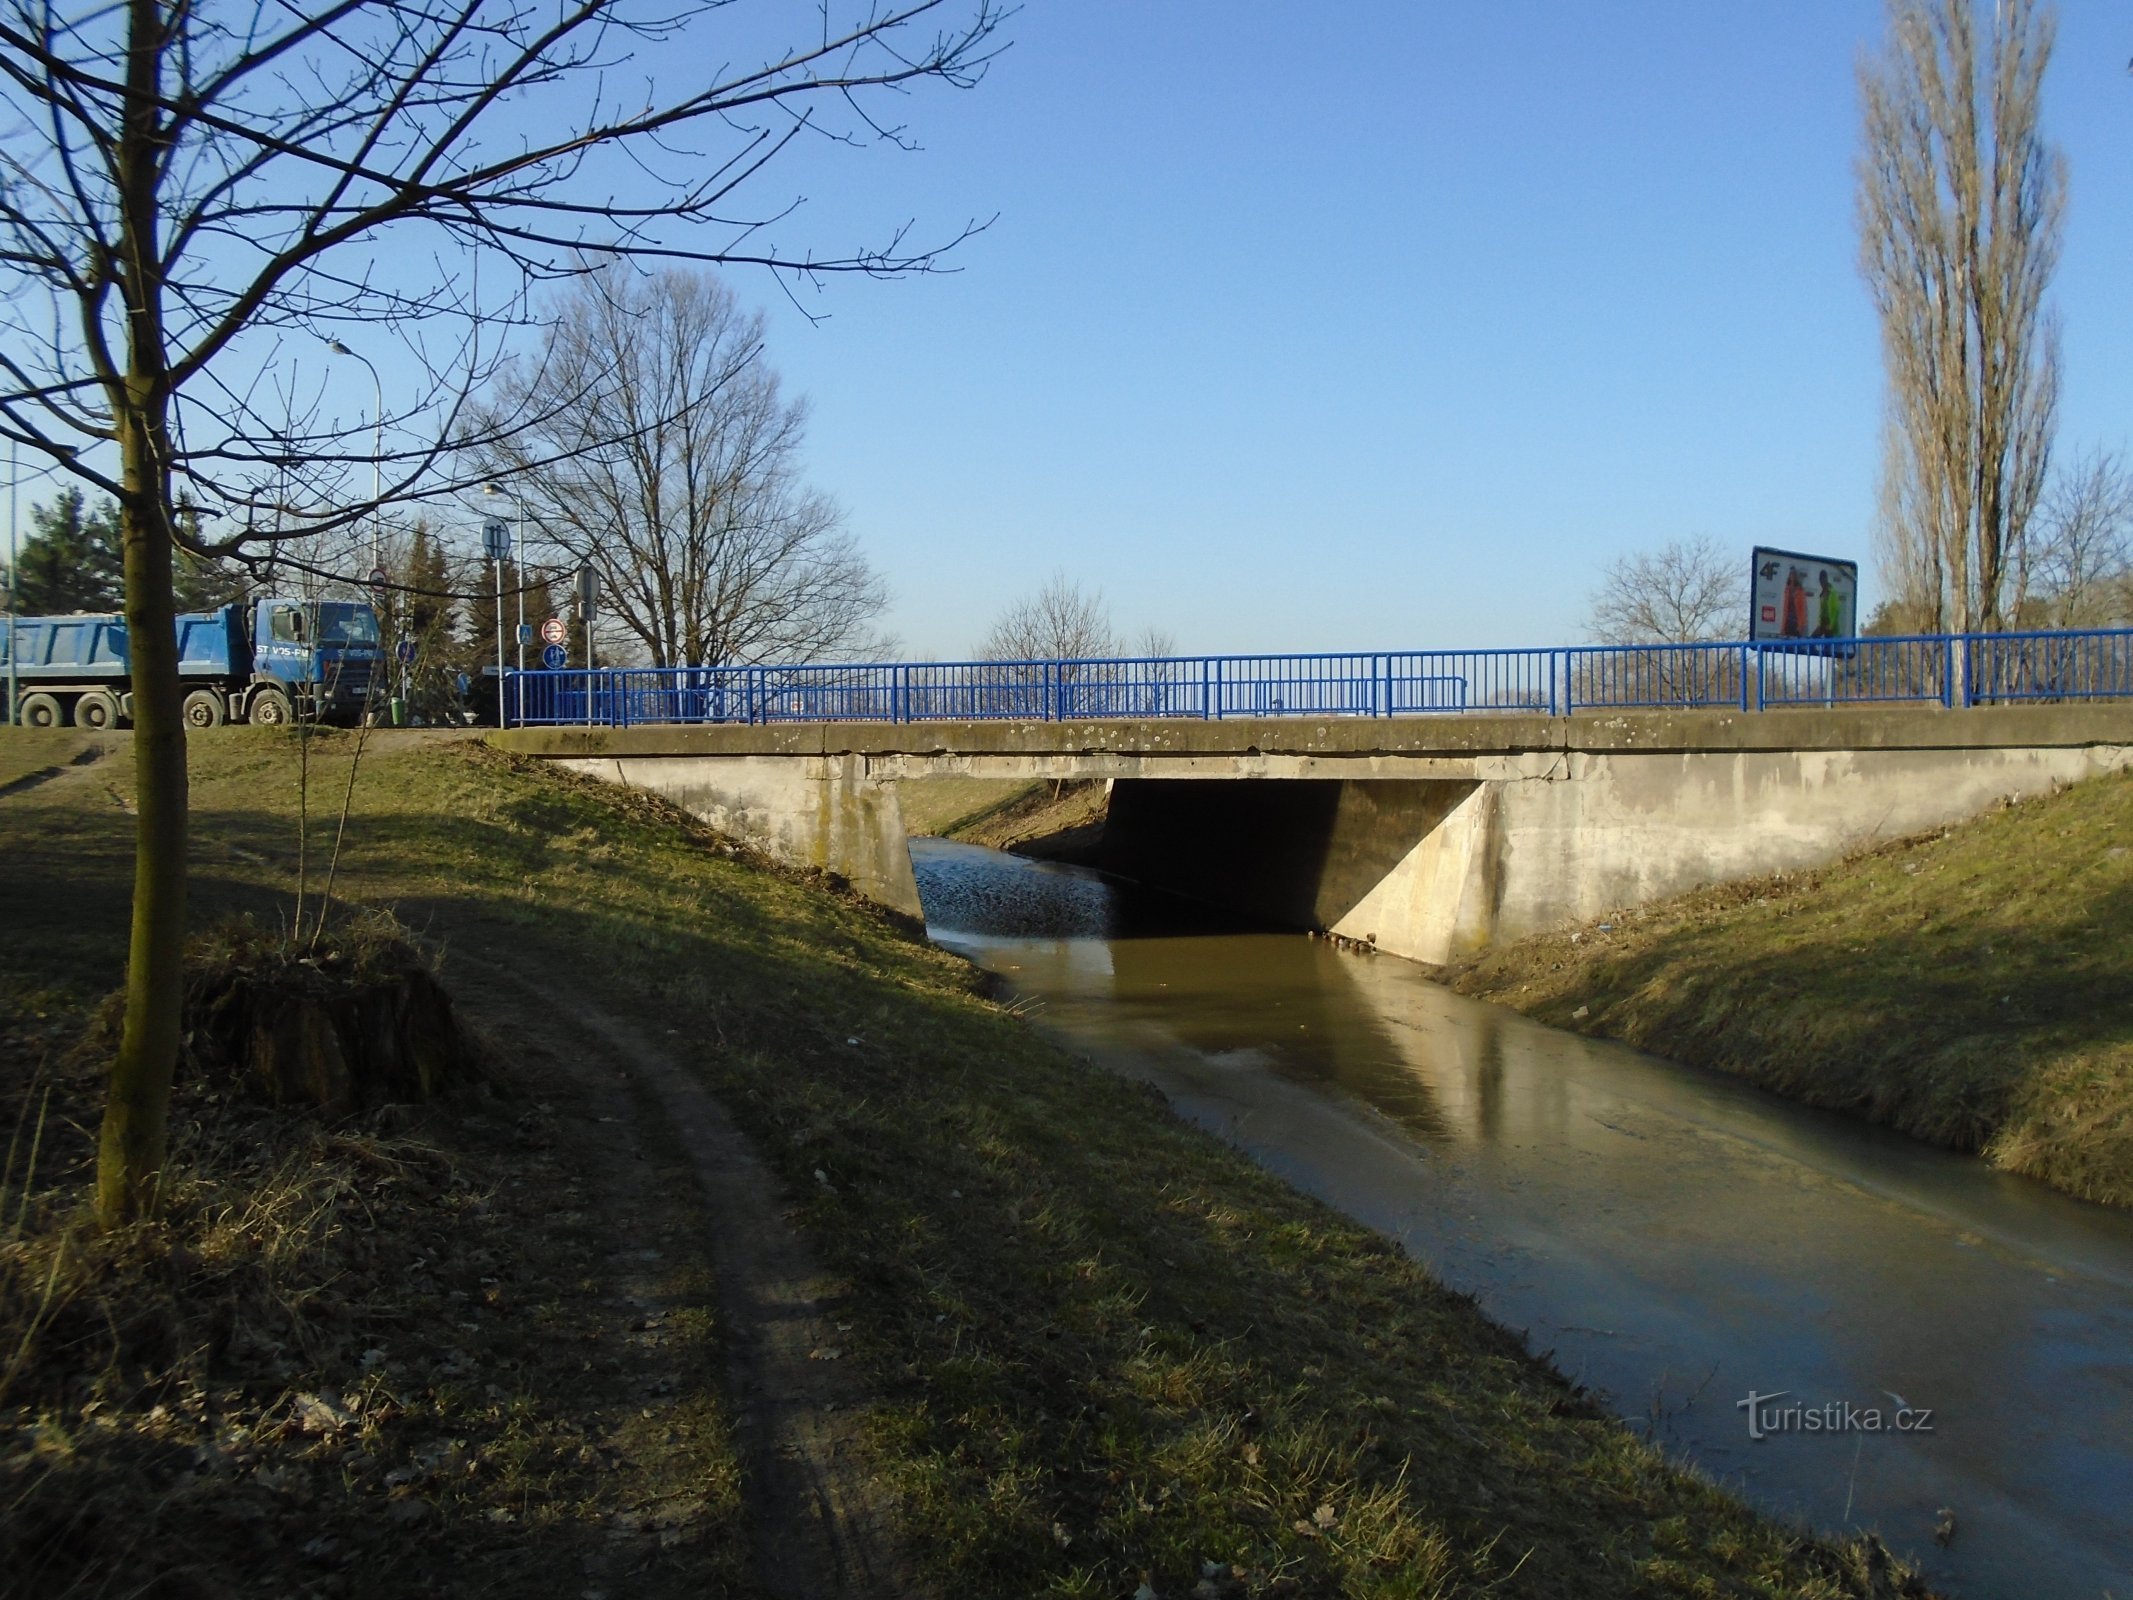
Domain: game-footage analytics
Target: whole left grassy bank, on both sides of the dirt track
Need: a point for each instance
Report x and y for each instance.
(1104, 1349)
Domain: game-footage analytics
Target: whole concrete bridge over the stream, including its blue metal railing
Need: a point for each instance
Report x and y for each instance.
(1424, 833)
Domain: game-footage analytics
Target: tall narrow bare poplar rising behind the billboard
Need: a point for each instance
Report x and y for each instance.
(1961, 204)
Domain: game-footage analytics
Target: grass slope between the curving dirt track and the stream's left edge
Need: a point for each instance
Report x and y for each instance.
(1102, 1347)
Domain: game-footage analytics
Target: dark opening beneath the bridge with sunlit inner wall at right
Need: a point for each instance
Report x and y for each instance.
(1313, 854)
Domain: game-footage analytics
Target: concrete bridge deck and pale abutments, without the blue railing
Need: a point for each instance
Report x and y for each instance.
(1424, 835)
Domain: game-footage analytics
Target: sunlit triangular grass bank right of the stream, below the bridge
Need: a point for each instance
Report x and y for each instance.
(1972, 989)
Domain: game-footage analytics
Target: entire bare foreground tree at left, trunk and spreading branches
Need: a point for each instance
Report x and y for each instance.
(193, 193)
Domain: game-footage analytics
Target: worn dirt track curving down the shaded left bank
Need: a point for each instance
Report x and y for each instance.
(818, 1524)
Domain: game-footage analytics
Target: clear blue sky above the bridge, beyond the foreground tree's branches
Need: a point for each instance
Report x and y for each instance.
(1390, 325)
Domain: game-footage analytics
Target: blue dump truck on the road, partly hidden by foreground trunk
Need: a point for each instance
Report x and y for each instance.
(263, 662)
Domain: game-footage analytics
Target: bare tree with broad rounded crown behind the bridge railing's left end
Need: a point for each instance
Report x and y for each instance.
(677, 477)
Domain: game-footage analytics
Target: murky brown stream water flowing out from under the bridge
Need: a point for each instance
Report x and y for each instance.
(1669, 1236)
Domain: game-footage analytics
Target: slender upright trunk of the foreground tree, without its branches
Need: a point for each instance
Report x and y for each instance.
(131, 1153)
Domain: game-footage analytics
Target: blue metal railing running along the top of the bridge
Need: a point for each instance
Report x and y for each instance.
(1931, 669)
